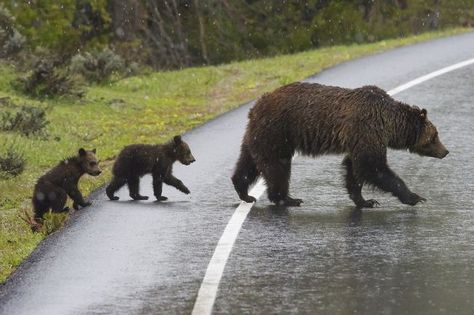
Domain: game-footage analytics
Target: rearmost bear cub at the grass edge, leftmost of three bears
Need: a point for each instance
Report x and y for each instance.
(52, 188)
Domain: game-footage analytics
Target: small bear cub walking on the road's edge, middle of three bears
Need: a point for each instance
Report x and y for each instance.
(136, 160)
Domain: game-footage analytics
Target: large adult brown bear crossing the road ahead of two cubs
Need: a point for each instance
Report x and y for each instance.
(314, 119)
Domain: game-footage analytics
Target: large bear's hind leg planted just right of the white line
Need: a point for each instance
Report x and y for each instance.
(277, 177)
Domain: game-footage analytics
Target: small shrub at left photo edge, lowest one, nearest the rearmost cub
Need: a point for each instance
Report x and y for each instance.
(12, 160)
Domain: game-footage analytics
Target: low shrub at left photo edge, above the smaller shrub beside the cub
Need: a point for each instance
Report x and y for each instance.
(27, 121)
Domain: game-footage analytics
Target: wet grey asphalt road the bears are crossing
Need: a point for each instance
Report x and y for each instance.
(322, 258)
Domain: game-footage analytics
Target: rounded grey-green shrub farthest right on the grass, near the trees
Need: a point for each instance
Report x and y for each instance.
(98, 67)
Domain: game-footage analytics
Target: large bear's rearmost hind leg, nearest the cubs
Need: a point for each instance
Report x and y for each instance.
(244, 175)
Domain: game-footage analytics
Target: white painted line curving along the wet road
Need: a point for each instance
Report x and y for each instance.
(210, 284)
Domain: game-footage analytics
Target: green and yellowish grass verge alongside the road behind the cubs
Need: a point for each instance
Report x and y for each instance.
(148, 109)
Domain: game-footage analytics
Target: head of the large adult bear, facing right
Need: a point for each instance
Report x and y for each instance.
(428, 143)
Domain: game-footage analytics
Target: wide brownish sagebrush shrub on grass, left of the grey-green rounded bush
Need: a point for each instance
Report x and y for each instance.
(47, 80)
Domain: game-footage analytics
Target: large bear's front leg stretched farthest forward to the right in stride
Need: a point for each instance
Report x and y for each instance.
(376, 172)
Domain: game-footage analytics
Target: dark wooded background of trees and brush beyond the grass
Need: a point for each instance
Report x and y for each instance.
(180, 33)
